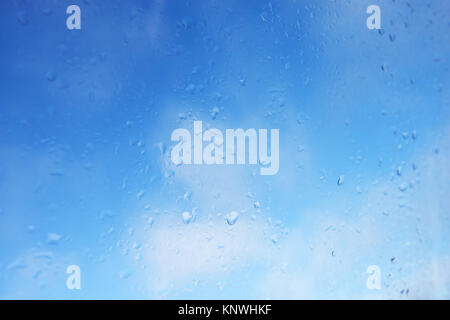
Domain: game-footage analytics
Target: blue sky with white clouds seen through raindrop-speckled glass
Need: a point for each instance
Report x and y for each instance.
(85, 170)
